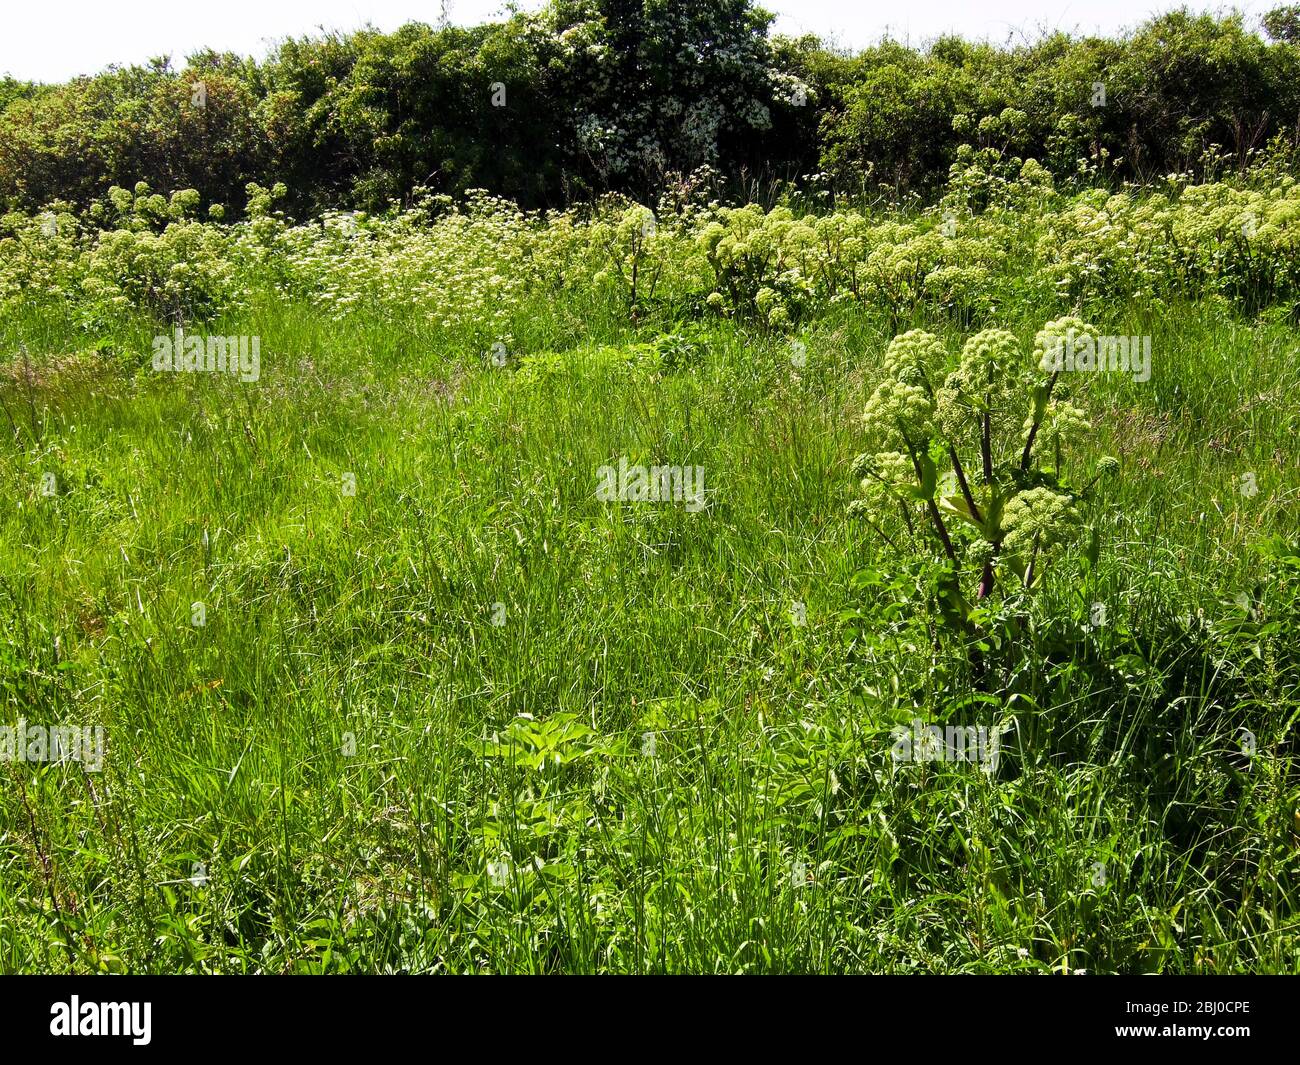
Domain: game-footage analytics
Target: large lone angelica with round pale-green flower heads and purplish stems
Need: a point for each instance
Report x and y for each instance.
(1009, 505)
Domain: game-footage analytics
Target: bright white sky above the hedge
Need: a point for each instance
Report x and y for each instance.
(58, 40)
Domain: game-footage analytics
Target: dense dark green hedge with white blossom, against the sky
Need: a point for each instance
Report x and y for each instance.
(591, 97)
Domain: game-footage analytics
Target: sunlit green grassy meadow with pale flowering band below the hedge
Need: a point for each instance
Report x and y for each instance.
(387, 687)
